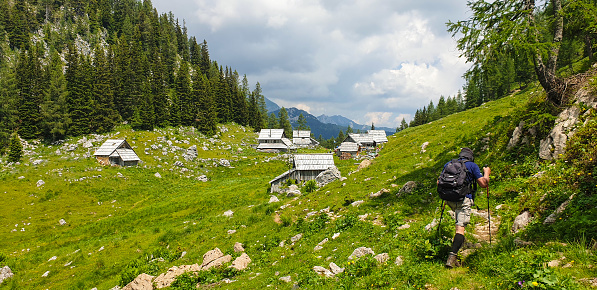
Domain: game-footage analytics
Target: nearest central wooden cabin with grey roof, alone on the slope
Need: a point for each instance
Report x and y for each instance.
(304, 167)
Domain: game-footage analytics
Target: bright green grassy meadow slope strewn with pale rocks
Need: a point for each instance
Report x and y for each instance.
(121, 222)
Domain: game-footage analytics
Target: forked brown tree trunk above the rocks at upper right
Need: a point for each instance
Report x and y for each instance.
(553, 85)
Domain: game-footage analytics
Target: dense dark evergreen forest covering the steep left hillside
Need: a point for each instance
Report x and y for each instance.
(102, 62)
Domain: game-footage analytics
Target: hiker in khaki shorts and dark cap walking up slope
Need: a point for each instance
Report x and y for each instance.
(462, 205)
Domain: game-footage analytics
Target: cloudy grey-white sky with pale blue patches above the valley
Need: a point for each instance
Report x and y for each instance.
(373, 61)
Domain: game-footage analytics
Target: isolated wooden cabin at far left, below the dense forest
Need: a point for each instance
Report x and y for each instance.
(116, 152)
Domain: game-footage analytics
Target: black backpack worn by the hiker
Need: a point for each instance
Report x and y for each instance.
(453, 184)
